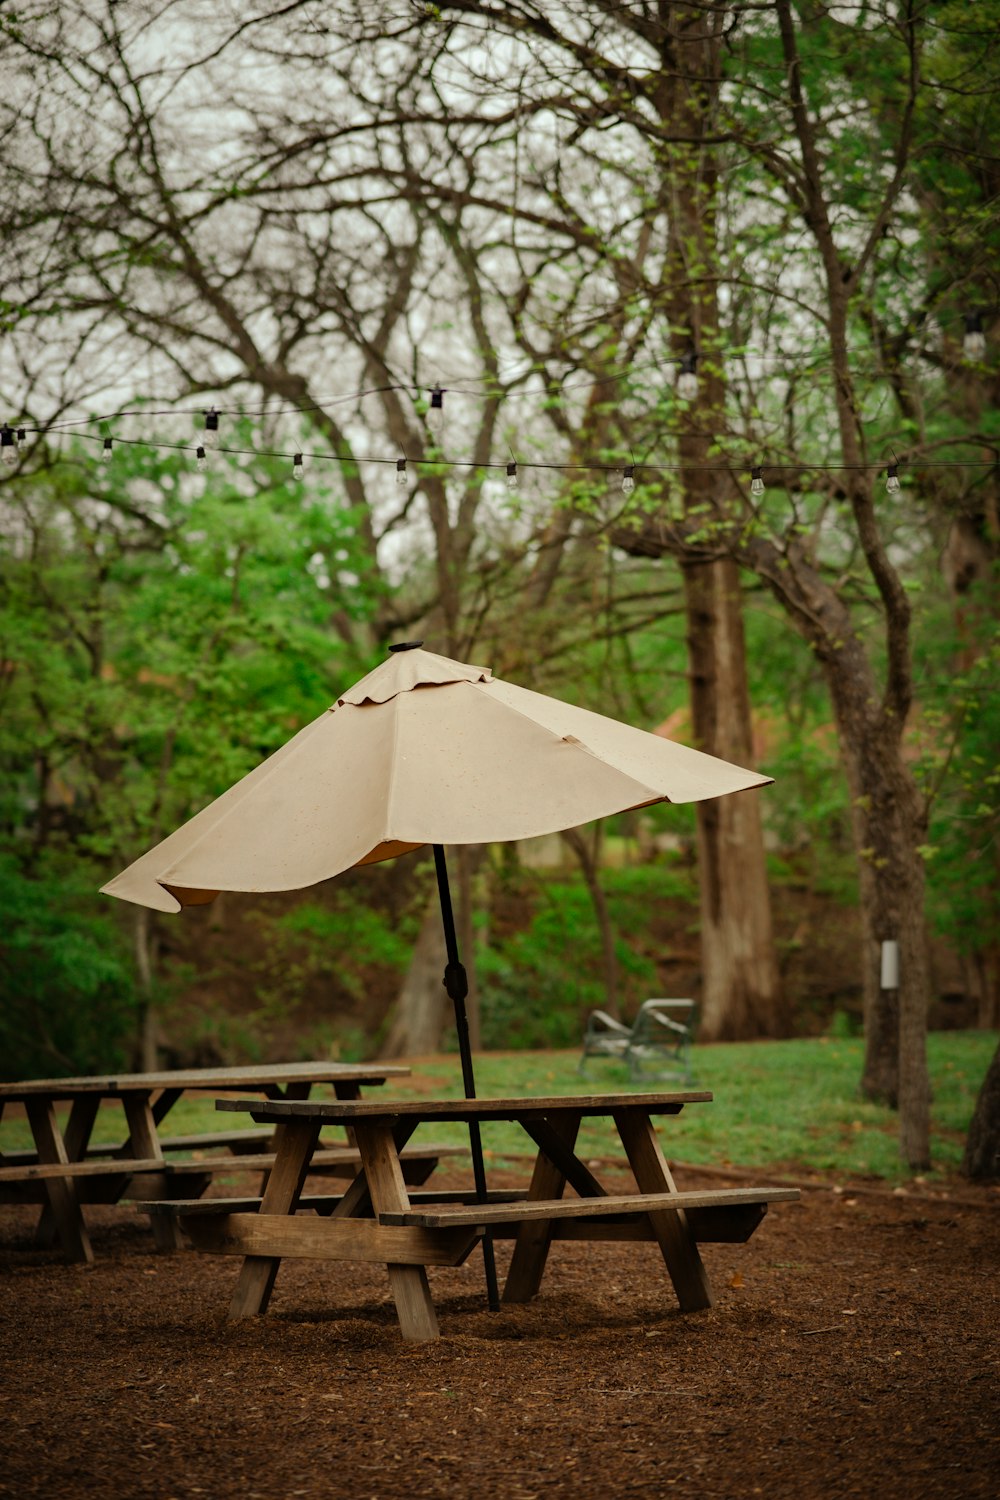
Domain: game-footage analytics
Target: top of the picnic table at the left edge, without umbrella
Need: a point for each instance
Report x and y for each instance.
(205, 1079)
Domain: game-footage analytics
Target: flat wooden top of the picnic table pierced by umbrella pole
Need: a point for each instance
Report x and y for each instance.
(506, 1109)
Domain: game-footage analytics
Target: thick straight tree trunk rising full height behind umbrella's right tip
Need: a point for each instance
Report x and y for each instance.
(741, 992)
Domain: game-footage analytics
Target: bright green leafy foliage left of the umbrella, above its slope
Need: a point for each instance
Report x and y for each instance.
(160, 635)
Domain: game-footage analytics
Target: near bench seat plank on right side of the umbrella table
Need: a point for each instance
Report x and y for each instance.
(531, 1210)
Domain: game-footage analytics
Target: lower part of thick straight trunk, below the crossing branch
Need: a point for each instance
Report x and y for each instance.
(741, 994)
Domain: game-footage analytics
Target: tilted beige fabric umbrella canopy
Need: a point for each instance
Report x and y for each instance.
(424, 751)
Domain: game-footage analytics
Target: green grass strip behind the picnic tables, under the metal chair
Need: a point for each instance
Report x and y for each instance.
(792, 1105)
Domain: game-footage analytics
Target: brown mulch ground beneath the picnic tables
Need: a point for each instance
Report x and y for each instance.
(854, 1352)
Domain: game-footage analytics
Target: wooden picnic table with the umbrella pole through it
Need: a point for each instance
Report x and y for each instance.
(379, 1219)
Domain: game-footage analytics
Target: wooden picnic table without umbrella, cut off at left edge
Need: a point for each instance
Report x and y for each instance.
(67, 1169)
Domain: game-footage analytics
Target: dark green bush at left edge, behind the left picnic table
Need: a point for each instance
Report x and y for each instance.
(65, 976)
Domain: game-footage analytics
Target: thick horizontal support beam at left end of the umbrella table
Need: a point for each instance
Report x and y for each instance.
(319, 1238)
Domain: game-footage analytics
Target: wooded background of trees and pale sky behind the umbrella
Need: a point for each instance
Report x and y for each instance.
(699, 275)
